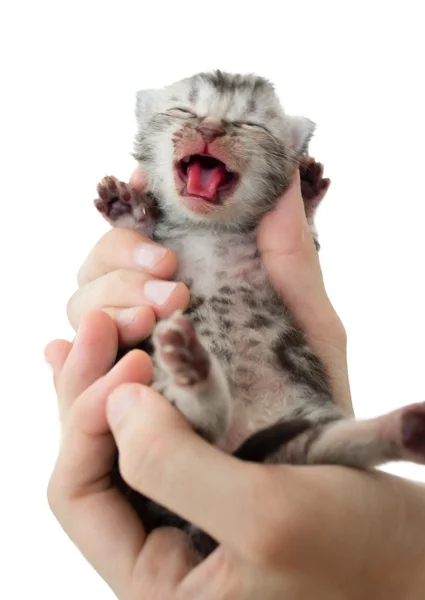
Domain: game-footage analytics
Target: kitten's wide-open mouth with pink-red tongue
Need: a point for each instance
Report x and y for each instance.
(205, 176)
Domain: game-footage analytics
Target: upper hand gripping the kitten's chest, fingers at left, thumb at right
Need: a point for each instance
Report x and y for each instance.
(122, 263)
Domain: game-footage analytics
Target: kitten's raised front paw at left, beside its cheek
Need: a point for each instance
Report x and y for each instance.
(123, 206)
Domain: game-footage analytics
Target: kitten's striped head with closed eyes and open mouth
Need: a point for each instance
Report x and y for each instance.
(218, 147)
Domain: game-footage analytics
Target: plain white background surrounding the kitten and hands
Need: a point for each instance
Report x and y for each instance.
(70, 71)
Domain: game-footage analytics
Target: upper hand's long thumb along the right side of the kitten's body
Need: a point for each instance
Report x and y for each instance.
(290, 257)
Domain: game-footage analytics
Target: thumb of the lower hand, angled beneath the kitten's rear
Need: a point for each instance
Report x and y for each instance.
(161, 457)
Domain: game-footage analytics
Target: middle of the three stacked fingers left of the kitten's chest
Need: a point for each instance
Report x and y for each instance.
(127, 289)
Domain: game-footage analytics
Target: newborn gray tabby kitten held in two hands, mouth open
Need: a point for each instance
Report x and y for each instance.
(218, 149)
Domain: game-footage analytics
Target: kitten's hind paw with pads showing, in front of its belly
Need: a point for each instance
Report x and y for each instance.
(180, 352)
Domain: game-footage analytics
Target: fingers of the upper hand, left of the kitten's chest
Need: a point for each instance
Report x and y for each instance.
(128, 276)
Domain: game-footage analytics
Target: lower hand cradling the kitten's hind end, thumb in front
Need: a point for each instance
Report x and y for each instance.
(295, 532)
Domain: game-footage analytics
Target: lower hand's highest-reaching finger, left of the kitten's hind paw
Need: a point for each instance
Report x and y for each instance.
(92, 355)
